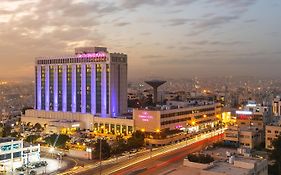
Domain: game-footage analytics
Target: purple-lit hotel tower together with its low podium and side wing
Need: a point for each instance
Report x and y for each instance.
(88, 90)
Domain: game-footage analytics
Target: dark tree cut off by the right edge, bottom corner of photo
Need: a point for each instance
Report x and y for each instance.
(275, 155)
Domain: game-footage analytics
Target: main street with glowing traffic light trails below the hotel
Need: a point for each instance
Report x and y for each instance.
(113, 166)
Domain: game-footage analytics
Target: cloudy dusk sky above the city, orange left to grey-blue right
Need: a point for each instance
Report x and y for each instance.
(163, 38)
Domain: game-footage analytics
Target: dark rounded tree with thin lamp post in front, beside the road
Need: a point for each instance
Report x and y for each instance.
(105, 149)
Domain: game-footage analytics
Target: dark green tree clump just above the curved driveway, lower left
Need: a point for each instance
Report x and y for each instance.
(60, 140)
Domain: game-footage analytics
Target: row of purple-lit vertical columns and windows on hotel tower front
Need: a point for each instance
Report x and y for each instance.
(46, 92)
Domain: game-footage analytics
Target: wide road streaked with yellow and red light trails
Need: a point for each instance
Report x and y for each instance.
(148, 161)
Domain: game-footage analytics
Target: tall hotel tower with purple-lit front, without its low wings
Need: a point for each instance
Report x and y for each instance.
(91, 81)
